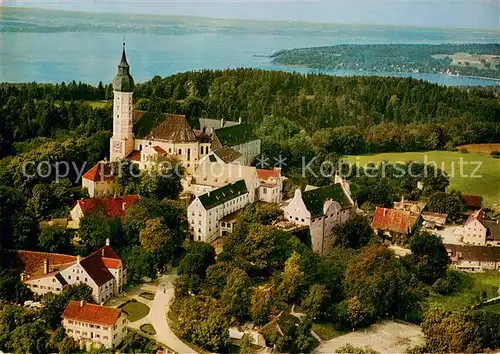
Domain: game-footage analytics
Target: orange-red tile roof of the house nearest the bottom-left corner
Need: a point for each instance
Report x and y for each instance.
(90, 313)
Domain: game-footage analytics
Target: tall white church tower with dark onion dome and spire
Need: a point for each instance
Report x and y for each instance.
(122, 141)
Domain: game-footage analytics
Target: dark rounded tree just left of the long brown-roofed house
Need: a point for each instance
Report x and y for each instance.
(428, 256)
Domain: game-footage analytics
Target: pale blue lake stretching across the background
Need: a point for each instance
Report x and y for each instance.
(53, 46)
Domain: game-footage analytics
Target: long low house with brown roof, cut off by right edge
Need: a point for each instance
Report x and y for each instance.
(474, 258)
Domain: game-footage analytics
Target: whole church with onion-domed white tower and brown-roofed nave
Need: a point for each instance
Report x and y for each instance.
(147, 137)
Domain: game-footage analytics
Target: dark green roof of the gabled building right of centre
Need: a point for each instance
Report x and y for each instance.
(315, 198)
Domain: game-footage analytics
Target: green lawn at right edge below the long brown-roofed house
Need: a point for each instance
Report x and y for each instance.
(471, 293)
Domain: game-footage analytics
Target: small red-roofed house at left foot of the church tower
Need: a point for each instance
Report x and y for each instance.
(100, 180)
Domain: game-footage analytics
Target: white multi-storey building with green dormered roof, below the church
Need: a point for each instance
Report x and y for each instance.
(207, 210)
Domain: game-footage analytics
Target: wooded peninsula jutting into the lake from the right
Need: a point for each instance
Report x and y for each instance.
(464, 59)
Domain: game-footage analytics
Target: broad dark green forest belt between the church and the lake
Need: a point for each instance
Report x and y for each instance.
(390, 114)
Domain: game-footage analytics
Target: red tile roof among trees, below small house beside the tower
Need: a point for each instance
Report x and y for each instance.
(112, 207)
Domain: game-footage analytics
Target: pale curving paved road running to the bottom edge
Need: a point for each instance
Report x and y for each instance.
(158, 316)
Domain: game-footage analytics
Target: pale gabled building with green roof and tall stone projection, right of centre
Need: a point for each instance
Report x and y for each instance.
(321, 209)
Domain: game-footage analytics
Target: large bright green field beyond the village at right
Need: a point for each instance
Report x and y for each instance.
(486, 184)
